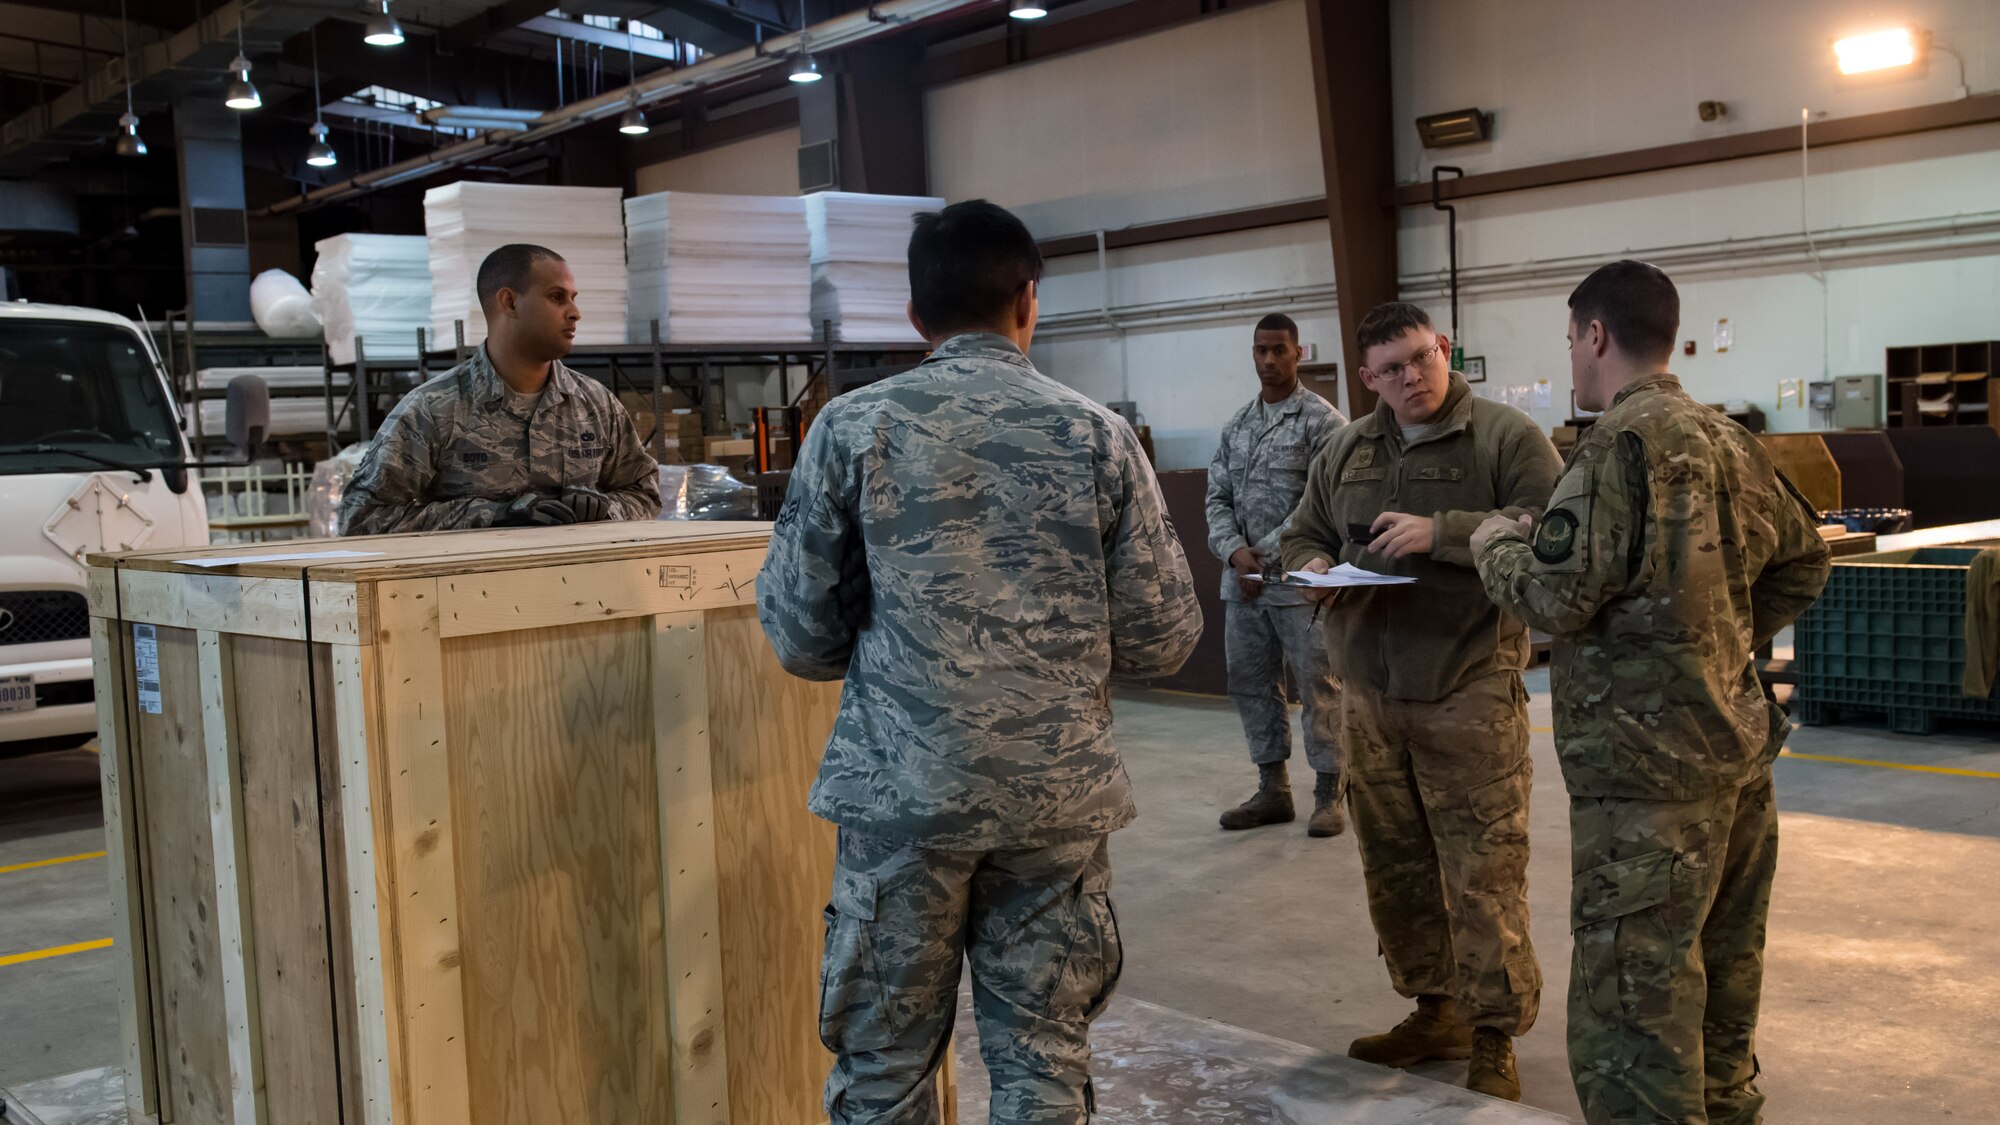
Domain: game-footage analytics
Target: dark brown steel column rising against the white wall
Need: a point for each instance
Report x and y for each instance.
(1359, 151)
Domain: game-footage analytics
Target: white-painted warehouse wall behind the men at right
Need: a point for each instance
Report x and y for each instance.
(1217, 115)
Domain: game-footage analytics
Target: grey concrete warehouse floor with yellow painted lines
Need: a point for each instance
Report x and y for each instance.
(1883, 1004)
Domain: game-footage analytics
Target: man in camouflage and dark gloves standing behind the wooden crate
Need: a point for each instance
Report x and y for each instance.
(509, 437)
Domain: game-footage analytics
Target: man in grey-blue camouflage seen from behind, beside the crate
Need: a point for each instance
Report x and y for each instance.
(977, 549)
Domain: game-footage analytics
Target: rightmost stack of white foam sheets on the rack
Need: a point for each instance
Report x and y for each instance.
(861, 263)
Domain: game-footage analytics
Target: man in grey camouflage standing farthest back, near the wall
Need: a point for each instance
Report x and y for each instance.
(1253, 487)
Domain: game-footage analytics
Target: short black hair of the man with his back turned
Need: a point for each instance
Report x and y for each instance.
(967, 265)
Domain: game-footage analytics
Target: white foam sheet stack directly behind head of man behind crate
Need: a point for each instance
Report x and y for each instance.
(585, 225)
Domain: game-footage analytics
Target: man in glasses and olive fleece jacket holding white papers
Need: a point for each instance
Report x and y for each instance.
(1435, 718)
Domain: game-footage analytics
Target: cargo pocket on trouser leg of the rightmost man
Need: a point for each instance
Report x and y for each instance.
(1625, 944)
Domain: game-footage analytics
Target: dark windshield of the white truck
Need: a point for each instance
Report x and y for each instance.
(69, 385)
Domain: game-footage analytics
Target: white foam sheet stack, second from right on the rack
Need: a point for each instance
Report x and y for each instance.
(719, 269)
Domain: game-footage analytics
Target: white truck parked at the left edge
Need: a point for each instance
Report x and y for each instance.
(91, 459)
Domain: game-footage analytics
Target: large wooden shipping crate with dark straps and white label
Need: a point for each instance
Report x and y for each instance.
(495, 828)
